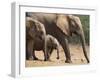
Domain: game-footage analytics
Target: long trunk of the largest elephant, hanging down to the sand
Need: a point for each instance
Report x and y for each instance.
(82, 39)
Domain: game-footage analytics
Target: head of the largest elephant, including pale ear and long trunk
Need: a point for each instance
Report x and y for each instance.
(70, 24)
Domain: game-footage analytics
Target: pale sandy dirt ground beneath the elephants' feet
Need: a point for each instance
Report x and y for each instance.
(77, 57)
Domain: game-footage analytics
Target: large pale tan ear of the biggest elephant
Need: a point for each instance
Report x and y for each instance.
(63, 24)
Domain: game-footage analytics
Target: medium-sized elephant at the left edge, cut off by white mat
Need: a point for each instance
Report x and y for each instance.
(34, 30)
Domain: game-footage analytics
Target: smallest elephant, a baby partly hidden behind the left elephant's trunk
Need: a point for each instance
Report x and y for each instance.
(51, 44)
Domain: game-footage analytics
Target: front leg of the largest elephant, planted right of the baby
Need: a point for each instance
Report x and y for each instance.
(65, 46)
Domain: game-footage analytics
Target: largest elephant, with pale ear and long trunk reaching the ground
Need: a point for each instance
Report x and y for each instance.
(61, 27)
